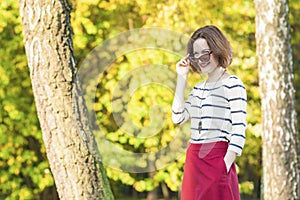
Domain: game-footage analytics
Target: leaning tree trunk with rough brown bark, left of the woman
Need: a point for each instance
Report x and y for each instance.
(71, 149)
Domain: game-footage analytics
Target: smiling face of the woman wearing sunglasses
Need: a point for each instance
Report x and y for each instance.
(202, 51)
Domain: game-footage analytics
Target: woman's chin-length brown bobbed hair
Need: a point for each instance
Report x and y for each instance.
(217, 43)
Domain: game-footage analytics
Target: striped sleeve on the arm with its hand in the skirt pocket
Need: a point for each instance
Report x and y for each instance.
(237, 101)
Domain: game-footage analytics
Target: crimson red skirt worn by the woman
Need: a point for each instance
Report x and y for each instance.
(205, 176)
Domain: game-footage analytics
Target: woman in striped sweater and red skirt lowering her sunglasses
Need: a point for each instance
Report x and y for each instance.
(217, 109)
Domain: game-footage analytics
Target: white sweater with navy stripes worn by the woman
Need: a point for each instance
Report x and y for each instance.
(217, 113)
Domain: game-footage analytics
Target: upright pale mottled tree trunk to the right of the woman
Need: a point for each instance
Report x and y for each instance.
(280, 170)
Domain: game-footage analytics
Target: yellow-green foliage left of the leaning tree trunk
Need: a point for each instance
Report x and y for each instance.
(24, 170)
